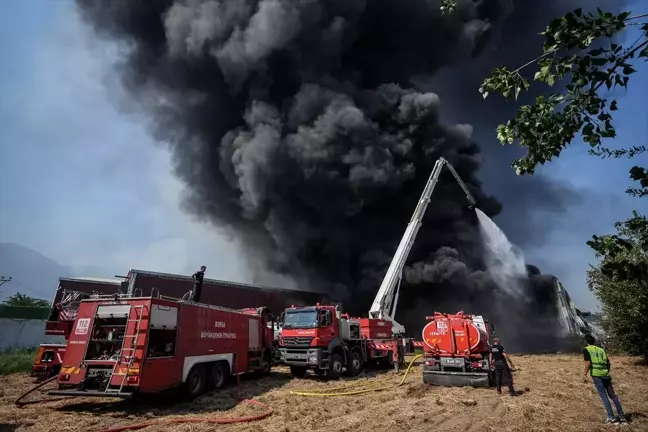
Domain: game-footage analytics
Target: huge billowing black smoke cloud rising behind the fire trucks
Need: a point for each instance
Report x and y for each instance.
(295, 125)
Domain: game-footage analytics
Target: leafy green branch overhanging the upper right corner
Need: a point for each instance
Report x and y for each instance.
(547, 127)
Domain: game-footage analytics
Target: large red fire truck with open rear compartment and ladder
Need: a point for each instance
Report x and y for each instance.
(123, 345)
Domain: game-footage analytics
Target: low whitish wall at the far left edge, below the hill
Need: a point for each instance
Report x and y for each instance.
(24, 333)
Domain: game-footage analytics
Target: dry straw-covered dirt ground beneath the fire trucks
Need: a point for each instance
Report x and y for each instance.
(553, 398)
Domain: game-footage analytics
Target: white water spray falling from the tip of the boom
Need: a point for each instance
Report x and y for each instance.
(504, 260)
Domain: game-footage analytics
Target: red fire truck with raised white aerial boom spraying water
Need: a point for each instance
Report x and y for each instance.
(323, 339)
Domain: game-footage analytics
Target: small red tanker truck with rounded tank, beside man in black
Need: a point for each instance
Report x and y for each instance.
(456, 350)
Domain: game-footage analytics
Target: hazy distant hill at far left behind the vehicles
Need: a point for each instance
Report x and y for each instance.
(34, 274)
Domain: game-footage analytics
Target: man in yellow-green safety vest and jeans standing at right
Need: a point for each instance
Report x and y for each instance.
(597, 365)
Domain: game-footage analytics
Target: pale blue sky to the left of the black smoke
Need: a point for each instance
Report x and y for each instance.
(81, 183)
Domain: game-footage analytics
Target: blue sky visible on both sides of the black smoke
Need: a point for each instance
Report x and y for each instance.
(85, 185)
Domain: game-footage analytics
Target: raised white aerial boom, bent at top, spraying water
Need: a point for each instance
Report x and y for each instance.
(384, 305)
